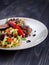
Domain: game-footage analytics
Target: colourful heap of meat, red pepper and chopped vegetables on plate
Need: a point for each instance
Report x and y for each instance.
(13, 32)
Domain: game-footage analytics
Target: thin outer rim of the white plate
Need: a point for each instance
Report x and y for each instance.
(27, 47)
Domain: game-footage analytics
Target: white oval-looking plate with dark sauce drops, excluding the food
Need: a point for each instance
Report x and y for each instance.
(41, 33)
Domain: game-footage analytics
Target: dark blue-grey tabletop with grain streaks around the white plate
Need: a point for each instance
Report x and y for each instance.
(37, 9)
